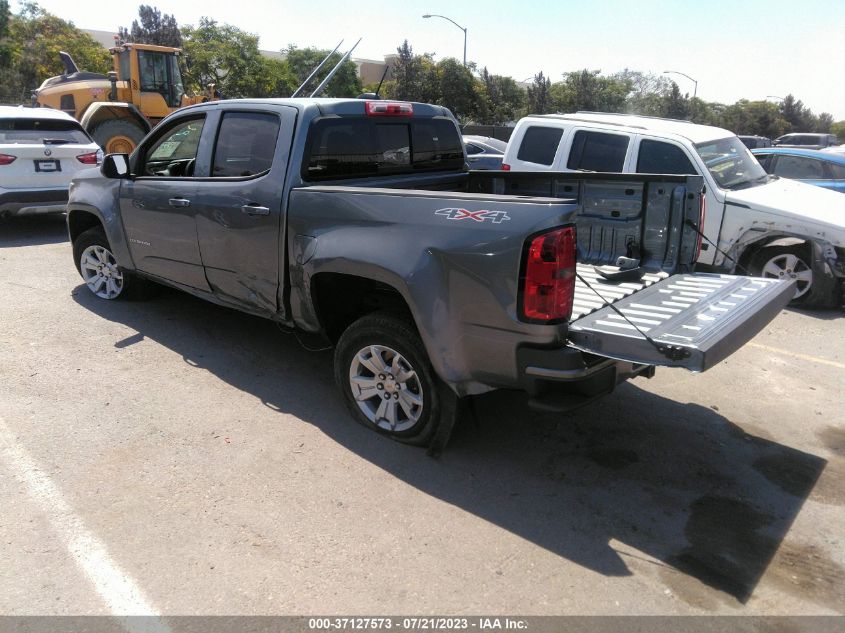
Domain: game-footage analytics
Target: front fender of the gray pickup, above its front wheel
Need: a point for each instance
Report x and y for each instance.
(92, 195)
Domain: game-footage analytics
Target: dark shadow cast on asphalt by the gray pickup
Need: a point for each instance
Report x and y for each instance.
(675, 481)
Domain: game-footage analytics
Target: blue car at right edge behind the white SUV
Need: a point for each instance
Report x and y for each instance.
(823, 169)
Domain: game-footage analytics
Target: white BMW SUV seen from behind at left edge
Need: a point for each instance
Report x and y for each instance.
(40, 151)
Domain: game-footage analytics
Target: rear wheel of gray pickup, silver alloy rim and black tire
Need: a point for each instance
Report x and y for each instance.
(406, 403)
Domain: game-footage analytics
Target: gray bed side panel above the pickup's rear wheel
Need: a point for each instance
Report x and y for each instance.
(459, 282)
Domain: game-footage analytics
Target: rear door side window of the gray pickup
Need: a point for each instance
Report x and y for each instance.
(245, 144)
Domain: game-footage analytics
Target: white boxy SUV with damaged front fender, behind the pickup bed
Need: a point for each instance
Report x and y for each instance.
(754, 222)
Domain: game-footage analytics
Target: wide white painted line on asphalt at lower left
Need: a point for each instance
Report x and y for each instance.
(118, 590)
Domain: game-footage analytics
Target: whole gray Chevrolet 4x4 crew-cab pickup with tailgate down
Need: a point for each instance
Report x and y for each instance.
(357, 221)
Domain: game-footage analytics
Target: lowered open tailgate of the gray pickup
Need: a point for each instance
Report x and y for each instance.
(693, 320)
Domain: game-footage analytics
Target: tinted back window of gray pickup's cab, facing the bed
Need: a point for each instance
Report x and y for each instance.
(357, 147)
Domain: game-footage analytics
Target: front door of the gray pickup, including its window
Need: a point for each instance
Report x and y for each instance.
(157, 205)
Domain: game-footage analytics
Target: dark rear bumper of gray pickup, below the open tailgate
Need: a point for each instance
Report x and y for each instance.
(564, 379)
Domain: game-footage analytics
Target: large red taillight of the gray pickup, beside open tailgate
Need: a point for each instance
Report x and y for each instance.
(548, 282)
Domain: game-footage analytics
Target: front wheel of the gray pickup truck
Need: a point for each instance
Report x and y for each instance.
(98, 267)
